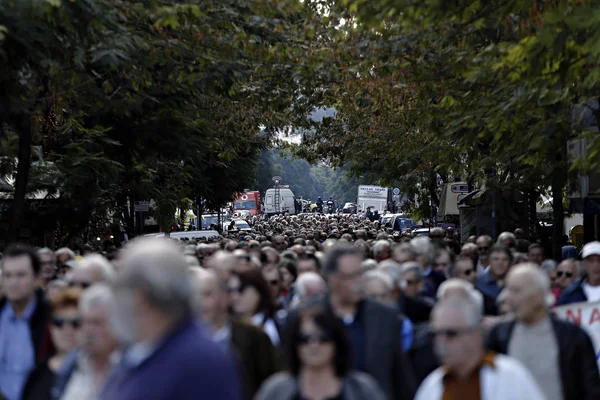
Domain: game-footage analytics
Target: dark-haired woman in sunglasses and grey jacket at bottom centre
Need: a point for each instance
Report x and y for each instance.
(319, 361)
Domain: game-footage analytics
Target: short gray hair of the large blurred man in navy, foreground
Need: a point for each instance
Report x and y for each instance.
(159, 271)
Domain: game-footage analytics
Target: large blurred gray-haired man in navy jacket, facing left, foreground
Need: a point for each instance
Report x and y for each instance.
(170, 356)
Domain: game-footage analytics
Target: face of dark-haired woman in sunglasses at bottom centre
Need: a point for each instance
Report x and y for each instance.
(315, 347)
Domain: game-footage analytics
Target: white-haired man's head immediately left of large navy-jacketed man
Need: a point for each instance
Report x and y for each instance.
(95, 307)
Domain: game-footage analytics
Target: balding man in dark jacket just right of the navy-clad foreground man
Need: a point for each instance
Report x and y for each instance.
(250, 346)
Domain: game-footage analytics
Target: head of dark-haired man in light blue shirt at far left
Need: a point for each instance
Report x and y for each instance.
(20, 271)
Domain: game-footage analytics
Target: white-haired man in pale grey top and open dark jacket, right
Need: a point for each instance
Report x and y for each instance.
(547, 346)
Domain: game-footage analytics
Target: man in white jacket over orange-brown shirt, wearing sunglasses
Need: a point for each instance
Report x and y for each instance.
(468, 371)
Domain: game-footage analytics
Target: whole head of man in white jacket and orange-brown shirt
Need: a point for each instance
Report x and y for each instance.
(459, 336)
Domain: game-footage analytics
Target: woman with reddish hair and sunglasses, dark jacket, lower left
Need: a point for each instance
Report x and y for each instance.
(64, 330)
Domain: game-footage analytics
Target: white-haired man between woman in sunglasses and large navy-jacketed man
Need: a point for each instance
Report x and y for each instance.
(85, 370)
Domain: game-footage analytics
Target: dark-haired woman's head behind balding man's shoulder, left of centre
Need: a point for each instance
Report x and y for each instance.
(250, 294)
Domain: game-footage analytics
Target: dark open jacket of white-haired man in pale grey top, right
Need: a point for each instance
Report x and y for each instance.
(577, 357)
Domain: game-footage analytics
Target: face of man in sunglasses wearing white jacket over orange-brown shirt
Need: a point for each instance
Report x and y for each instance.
(455, 341)
